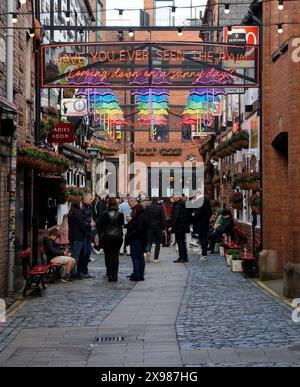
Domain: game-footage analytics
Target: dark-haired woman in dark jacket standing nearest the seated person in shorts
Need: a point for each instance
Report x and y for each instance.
(77, 234)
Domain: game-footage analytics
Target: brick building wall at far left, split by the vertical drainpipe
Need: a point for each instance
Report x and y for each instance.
(23, 90)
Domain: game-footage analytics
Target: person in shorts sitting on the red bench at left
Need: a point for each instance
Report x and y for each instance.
(57, 254)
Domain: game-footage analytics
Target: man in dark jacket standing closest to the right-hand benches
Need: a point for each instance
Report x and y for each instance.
(201, 220)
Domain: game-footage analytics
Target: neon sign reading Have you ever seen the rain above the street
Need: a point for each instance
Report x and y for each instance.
(157, 65)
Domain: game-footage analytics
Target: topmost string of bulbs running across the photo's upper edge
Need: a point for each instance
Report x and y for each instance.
(173, 9)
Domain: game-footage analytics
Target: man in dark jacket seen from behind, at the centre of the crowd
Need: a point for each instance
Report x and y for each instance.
(156, 219)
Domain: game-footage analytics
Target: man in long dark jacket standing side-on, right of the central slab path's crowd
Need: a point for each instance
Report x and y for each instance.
(180, 226)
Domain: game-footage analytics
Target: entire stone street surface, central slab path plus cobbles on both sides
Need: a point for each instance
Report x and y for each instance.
(195, 314)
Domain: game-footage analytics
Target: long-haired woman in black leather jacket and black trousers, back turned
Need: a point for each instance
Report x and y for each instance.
(111, 233)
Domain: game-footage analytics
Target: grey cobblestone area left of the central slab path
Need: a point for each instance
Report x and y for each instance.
(70, 304)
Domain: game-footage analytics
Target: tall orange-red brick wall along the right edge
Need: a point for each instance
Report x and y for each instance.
(281, 101)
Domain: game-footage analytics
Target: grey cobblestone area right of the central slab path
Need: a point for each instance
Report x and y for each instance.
(225, 316)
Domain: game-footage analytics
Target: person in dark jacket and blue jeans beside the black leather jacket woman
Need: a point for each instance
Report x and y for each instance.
(137, 239)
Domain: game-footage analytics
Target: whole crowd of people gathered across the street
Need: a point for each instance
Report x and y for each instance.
(131, 226)
